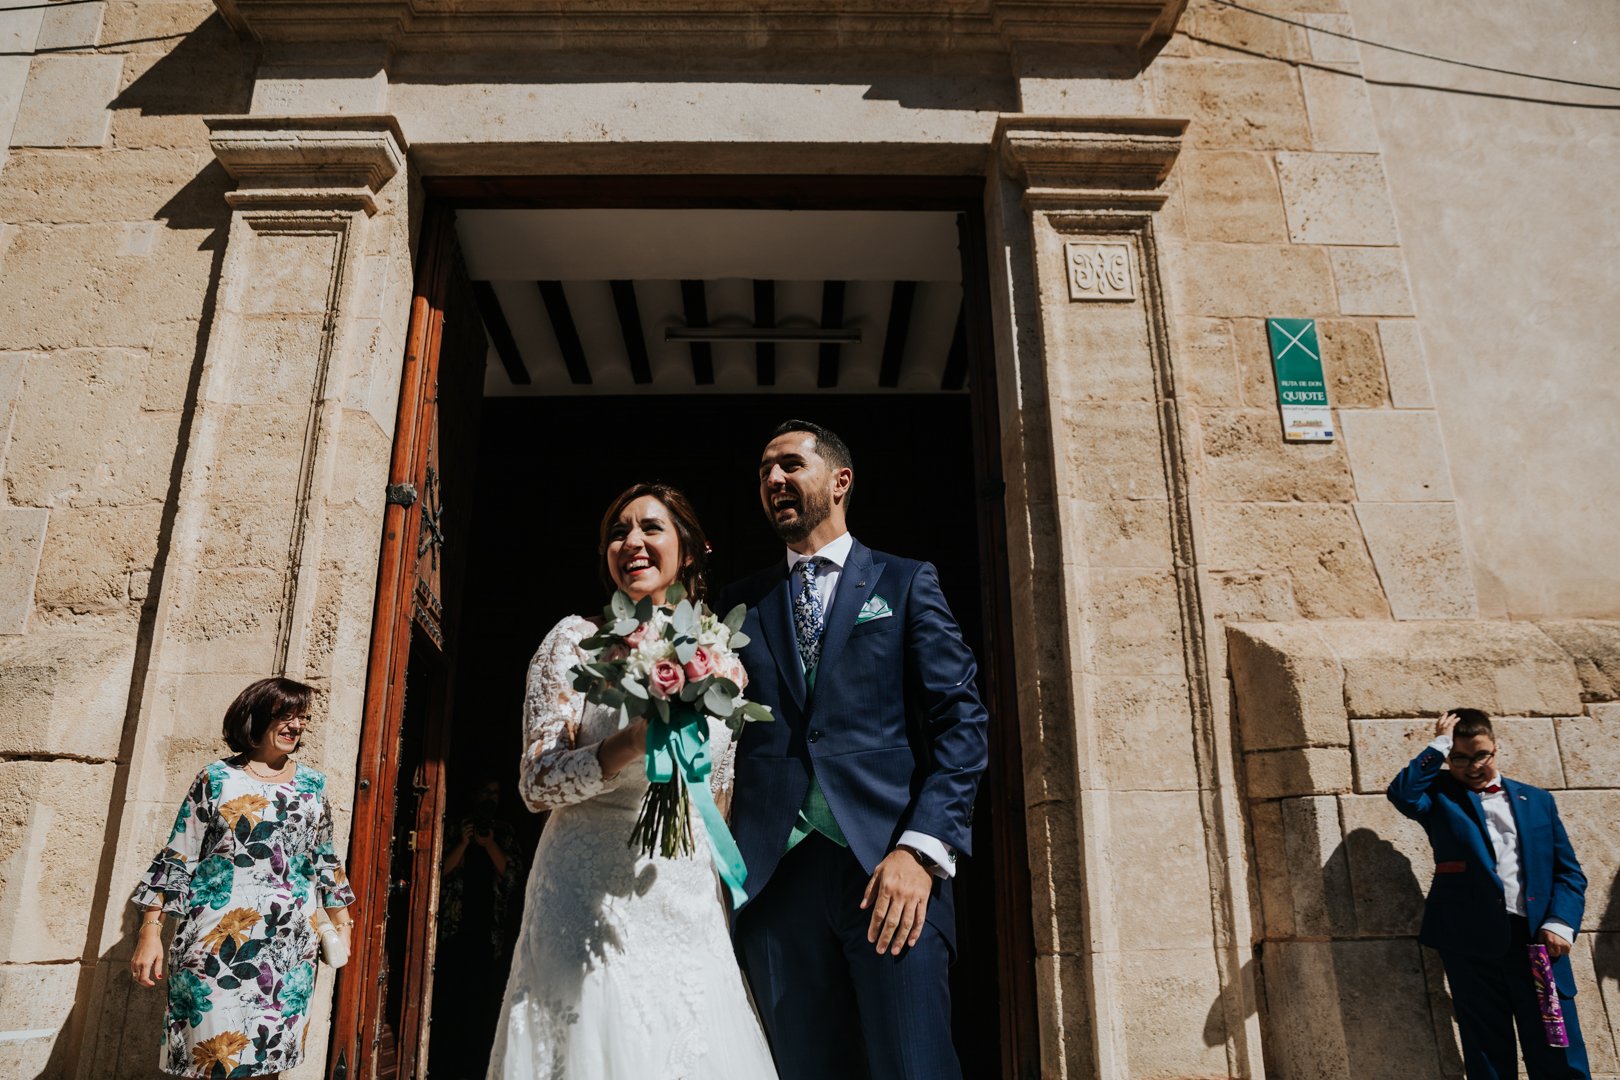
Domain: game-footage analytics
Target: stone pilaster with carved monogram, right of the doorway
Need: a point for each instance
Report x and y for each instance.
(1135, 843)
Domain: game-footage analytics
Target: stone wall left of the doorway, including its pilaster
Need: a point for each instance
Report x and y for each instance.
(197, 402)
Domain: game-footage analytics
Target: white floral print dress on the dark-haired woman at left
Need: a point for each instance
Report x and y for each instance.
(245, 870)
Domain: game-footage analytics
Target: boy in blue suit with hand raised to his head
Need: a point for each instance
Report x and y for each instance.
(1504, 877)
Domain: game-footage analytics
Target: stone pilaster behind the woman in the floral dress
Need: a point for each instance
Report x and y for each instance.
(273, 563)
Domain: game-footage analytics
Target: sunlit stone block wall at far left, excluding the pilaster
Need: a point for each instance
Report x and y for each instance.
(113, 226)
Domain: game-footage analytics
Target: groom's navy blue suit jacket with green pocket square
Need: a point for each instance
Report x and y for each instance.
(895, 729)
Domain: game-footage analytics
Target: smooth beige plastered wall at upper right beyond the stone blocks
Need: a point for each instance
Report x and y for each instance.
(1512, 255)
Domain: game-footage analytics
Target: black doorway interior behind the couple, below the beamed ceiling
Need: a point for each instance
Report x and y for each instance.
(548, 469)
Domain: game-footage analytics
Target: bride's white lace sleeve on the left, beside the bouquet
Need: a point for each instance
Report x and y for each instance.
(556, 772)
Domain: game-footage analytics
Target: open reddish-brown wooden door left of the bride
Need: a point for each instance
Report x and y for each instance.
(380, 1027)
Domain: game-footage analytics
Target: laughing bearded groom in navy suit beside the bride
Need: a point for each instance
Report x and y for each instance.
(853, 807)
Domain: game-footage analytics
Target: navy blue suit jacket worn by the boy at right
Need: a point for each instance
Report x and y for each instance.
(1467, 911)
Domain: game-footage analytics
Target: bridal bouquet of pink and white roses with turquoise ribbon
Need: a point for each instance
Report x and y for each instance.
(676, 665)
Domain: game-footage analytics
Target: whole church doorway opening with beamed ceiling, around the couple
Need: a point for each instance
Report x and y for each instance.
(587, 393)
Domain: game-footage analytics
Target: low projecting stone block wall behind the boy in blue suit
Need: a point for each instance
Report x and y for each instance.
(1328, 715)
